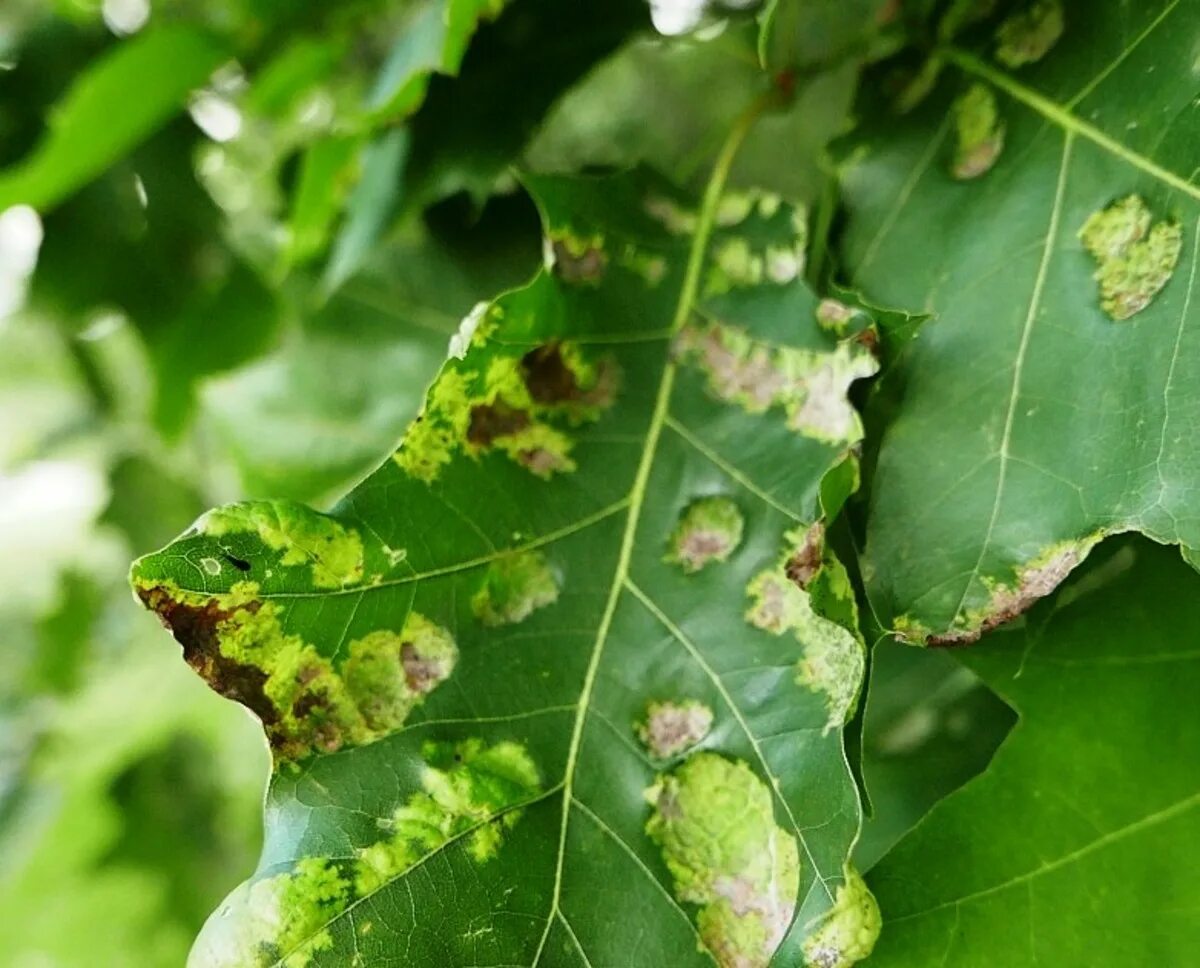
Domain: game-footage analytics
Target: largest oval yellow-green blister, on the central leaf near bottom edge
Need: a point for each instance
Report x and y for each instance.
(715, 821)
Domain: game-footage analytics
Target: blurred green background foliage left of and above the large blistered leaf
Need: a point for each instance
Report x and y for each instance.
(236, 238)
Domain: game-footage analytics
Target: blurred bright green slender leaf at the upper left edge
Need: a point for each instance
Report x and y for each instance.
(110, 110)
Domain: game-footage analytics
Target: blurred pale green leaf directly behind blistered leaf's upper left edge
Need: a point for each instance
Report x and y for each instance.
(307, 422)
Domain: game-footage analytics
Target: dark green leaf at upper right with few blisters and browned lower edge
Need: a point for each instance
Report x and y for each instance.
(1047, 405)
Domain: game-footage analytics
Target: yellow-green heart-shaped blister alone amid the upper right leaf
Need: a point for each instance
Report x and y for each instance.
(1135, 258)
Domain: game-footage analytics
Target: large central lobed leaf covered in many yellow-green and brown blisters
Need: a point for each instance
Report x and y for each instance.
(557, 656)
